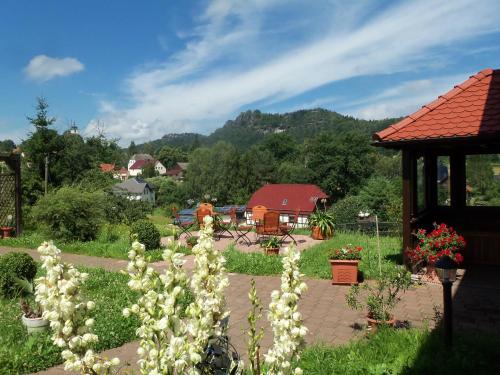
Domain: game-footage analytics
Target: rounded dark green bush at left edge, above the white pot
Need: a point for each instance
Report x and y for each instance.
(19, 265)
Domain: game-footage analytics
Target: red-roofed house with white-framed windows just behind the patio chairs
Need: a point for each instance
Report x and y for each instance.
(287, 199)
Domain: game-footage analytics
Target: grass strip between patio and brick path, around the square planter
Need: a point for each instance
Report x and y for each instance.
(314, 260)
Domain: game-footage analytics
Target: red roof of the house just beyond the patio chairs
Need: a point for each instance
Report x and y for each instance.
(296, 196)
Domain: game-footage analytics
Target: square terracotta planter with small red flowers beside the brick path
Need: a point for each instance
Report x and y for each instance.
(344, 262)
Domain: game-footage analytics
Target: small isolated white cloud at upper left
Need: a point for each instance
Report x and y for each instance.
(43, 68)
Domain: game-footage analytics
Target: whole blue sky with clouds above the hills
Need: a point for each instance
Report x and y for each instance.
(137, 70)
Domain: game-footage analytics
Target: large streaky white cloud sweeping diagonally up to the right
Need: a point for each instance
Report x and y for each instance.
(230, 63)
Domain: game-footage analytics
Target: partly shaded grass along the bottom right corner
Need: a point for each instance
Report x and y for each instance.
(412, 351)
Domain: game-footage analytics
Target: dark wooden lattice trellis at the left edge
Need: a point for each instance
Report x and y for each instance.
(10, 189)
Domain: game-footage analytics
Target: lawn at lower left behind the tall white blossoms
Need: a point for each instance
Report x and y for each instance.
(22, 353)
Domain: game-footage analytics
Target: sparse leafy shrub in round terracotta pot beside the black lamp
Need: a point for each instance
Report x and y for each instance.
(381, 296)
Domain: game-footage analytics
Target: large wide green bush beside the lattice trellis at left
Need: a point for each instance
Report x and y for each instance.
(70, 214)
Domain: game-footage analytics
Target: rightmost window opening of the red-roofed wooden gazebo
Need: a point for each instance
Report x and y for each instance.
(482, 174)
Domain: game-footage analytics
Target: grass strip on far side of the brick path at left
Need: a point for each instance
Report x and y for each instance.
(112, 242)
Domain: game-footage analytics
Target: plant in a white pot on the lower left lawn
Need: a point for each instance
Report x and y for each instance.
(32, 312)
